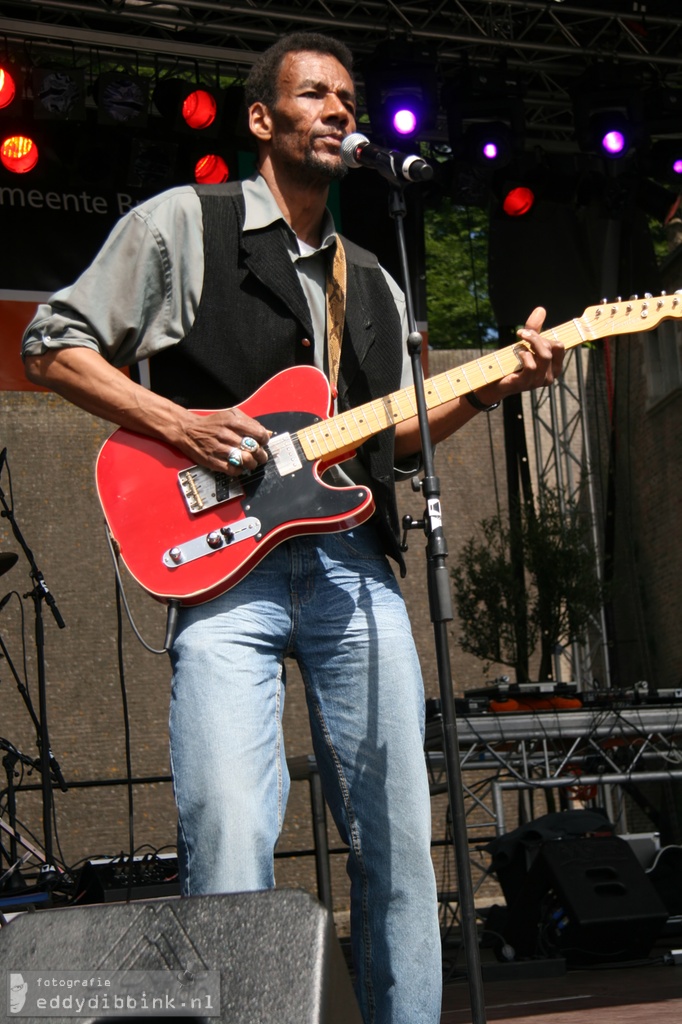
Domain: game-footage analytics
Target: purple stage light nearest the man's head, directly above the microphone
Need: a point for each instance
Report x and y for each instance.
(401, 91)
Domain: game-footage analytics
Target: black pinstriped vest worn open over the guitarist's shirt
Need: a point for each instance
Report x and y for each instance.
(251, 323)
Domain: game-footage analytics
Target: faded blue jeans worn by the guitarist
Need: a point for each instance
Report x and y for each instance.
(333, 604)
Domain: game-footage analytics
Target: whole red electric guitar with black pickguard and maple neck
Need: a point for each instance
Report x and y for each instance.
(188, 534)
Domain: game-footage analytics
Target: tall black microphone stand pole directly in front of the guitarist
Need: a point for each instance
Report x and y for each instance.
(442, 613)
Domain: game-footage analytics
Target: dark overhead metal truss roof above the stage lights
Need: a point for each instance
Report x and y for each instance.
(547, 45)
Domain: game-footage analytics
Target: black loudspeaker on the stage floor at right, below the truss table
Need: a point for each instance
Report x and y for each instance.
(588, 901)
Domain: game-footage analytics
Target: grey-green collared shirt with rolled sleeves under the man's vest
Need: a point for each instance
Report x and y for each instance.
(142, 293)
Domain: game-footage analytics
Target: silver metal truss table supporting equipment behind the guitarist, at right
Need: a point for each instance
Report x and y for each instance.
(573, 759)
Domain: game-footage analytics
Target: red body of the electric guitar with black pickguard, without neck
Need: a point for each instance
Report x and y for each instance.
(188, 534)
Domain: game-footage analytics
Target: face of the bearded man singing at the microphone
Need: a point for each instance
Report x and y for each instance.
(315, 111)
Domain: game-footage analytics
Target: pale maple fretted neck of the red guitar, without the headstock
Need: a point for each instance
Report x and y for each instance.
(333, 438)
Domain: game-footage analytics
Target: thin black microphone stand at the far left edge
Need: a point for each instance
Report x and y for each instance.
(49, 763)
